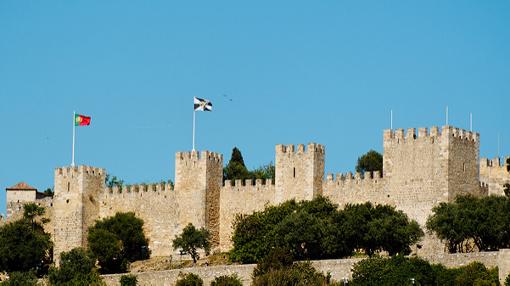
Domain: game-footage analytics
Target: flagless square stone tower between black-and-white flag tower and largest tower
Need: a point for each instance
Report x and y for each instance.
(299, 174)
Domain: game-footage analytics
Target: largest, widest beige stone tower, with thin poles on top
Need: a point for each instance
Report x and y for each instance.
(429, 168)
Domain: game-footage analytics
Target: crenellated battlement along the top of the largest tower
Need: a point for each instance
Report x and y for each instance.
(433, 135)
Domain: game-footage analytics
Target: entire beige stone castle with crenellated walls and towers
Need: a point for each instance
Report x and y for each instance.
(420, 170)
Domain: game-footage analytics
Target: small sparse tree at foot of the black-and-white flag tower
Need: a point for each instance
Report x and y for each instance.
(192, 239)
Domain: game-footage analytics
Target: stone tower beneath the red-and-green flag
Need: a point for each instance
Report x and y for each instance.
(76, 205)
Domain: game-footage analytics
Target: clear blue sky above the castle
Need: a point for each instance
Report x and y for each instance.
(276, 72)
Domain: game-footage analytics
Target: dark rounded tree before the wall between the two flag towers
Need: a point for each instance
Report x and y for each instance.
(118, 240)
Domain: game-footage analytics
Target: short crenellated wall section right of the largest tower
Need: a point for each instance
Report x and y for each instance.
(495, 174)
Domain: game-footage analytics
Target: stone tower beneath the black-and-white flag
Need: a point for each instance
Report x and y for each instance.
(198, 181)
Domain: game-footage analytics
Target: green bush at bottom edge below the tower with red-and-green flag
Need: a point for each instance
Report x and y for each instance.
(76, 269)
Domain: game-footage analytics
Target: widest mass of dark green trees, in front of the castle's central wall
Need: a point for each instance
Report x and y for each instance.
(318, 230)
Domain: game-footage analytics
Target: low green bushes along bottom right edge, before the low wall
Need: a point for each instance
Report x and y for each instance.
(399, 270)
